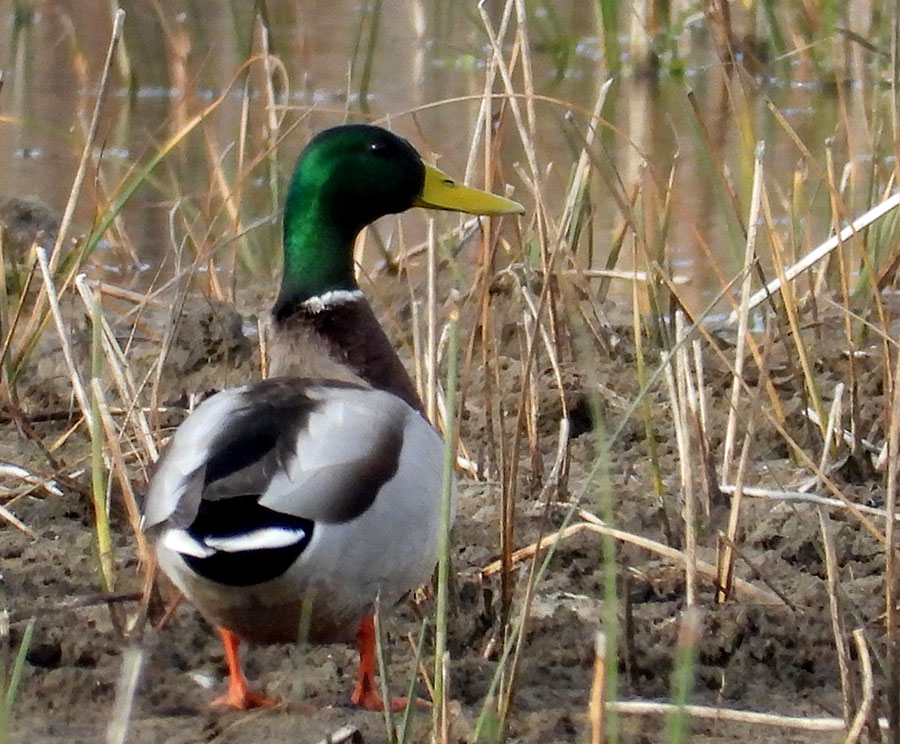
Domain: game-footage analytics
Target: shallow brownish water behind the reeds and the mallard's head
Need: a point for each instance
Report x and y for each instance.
(419, 66)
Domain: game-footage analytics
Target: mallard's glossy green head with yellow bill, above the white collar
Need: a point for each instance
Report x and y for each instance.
(346, 178)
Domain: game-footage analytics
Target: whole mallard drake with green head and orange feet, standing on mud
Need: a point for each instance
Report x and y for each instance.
(283, 509)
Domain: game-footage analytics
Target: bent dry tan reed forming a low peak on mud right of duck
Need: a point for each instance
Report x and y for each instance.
(595, 524)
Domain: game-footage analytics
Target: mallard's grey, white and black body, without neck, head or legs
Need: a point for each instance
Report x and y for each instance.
(303, 498)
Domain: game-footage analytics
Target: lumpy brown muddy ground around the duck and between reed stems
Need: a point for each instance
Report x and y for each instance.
(753, 656)
